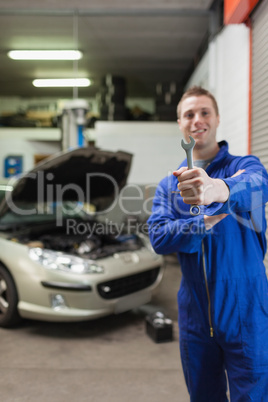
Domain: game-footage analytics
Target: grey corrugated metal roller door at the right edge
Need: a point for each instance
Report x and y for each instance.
(259, 136)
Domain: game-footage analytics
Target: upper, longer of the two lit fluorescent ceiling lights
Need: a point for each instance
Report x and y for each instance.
(45, 54)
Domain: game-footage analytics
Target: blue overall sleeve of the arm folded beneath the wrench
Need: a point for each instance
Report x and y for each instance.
(170, 230)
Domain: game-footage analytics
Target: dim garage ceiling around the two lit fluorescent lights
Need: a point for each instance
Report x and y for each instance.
(145, 41)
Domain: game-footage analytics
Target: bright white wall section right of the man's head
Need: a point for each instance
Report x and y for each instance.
(224, 70)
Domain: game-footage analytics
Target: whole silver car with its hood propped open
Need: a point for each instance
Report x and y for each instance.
(60, 260)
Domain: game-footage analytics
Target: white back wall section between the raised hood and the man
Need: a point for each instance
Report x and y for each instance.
(156, 147)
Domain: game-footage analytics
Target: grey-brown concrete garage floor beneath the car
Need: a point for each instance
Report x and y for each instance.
(106, 360)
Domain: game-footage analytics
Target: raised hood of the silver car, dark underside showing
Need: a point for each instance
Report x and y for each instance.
(88, 175)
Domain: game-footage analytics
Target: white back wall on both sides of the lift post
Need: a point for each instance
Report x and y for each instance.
(156, 146)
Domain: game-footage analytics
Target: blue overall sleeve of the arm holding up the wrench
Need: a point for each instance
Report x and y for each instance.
(248, 191)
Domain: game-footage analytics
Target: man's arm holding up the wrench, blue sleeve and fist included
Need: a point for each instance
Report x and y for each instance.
(244, 191)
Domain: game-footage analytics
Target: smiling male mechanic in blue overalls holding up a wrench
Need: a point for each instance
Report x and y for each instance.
(223, 297)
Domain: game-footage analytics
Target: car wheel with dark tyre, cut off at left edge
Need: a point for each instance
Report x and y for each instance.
(9, 315)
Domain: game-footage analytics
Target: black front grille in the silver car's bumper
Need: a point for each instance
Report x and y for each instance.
(128, 284)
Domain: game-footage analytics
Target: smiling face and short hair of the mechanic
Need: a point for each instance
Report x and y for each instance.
(198, 119)
